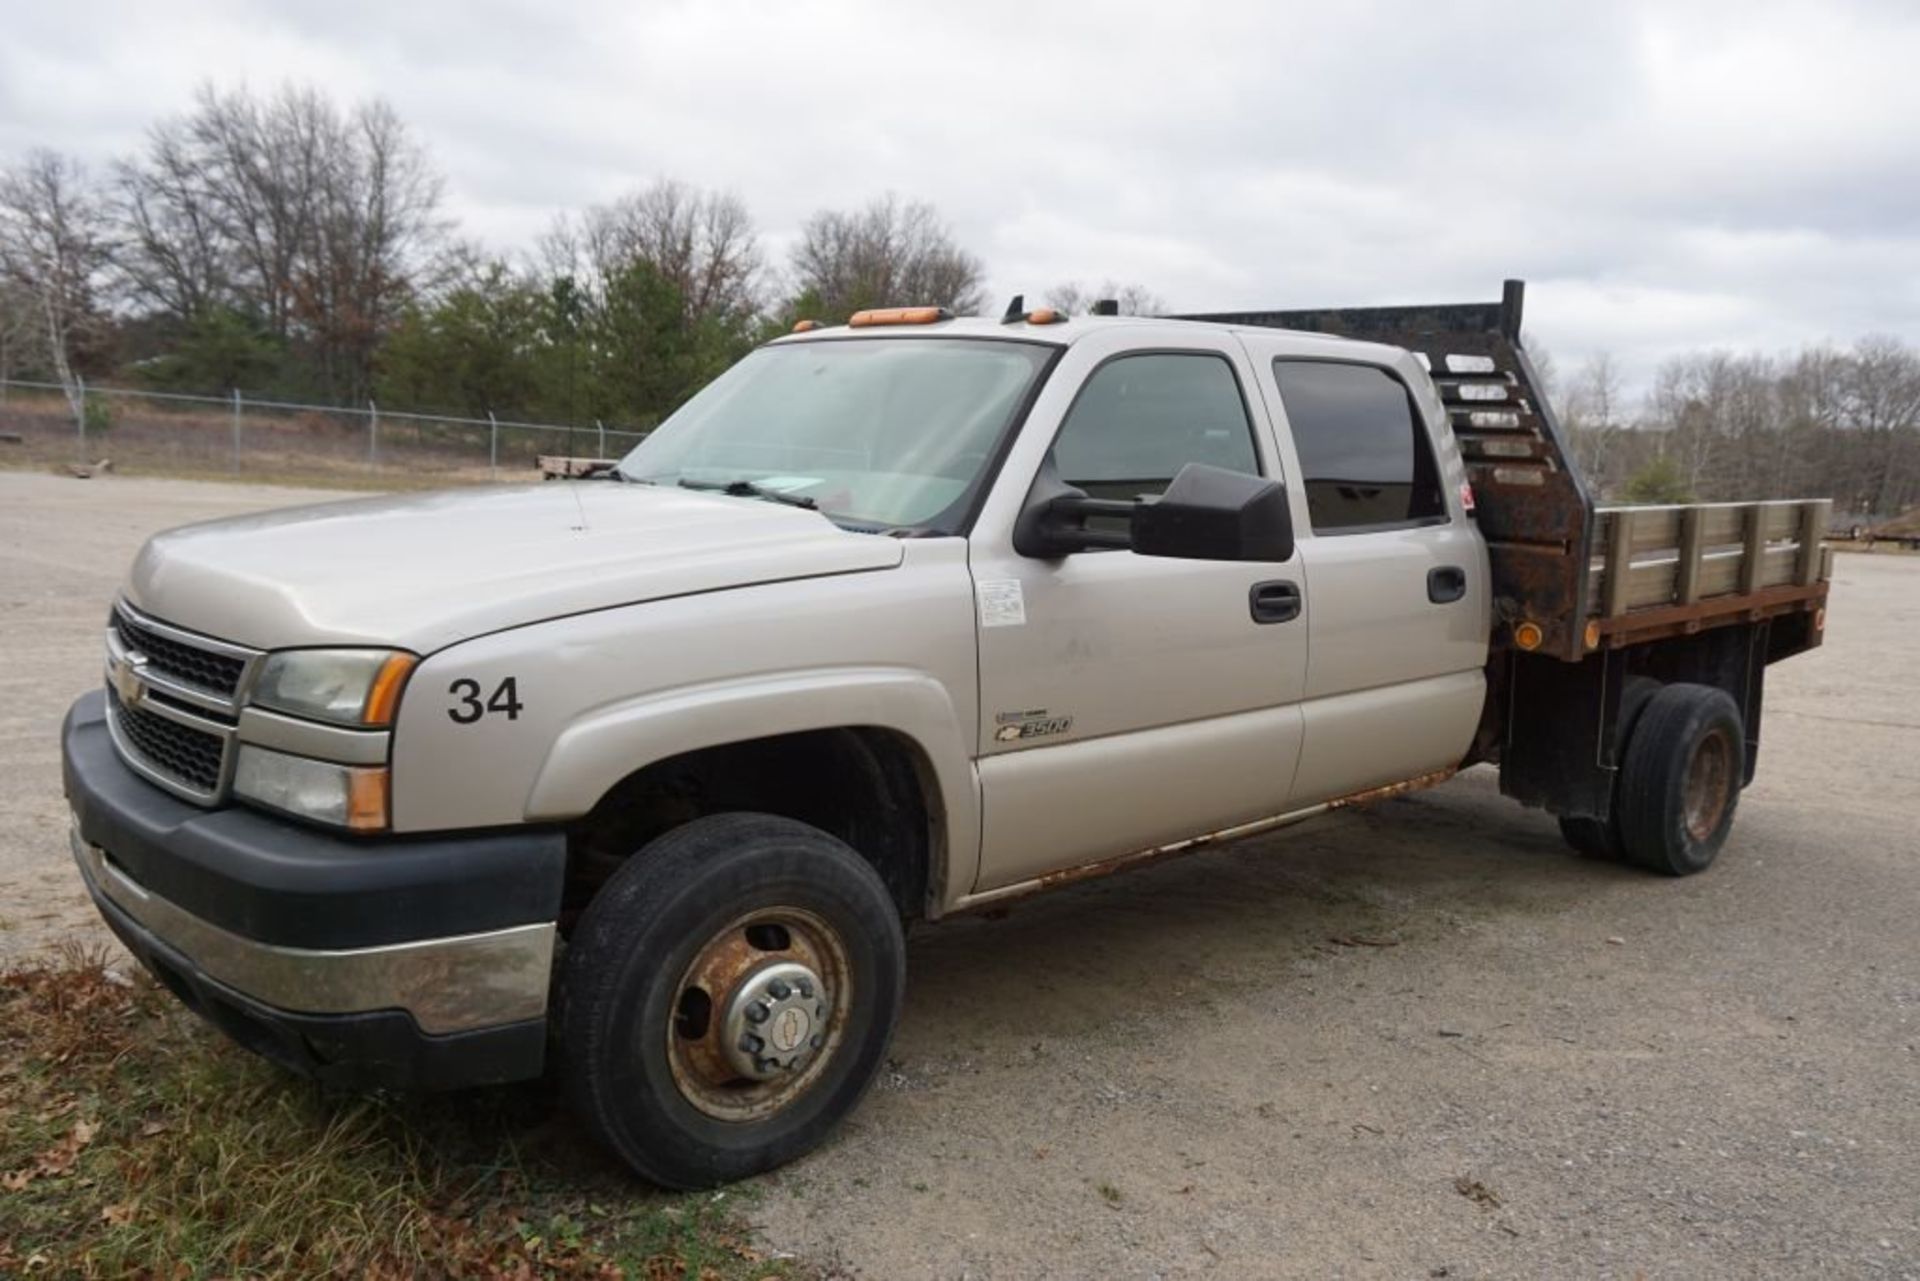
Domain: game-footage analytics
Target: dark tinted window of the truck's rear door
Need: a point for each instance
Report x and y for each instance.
(1364, 454)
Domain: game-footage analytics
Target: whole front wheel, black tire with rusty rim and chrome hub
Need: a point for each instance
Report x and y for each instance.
(729, 904)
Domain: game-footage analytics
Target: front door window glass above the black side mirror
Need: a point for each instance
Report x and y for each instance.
(1145, 418)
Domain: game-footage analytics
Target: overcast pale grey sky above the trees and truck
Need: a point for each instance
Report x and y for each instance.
(1664, 176)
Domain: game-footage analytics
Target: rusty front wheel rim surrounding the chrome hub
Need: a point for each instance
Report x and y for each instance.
(723, 969)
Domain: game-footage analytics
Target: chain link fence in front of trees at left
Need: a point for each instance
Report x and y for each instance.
(272, 441)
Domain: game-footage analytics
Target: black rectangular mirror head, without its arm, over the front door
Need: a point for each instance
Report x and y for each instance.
(1212, 514)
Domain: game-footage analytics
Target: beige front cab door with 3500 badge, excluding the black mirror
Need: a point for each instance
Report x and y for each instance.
(1130, 702)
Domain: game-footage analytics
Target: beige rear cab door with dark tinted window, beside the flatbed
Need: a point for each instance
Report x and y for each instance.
(1395, 569)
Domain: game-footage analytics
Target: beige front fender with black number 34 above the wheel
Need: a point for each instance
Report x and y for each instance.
(598, 696)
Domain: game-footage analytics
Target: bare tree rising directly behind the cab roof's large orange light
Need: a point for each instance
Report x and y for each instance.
(884, 254)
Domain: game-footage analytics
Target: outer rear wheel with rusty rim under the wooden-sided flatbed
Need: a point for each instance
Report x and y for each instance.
(1681, 781)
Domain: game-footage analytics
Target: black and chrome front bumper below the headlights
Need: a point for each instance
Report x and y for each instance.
(400, 963)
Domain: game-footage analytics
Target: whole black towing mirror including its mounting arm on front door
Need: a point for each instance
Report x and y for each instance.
(1209, 514)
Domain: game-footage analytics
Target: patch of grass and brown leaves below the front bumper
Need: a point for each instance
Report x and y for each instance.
(139, 1144)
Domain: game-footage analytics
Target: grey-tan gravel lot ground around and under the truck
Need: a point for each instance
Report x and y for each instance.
(1412, 1042)
